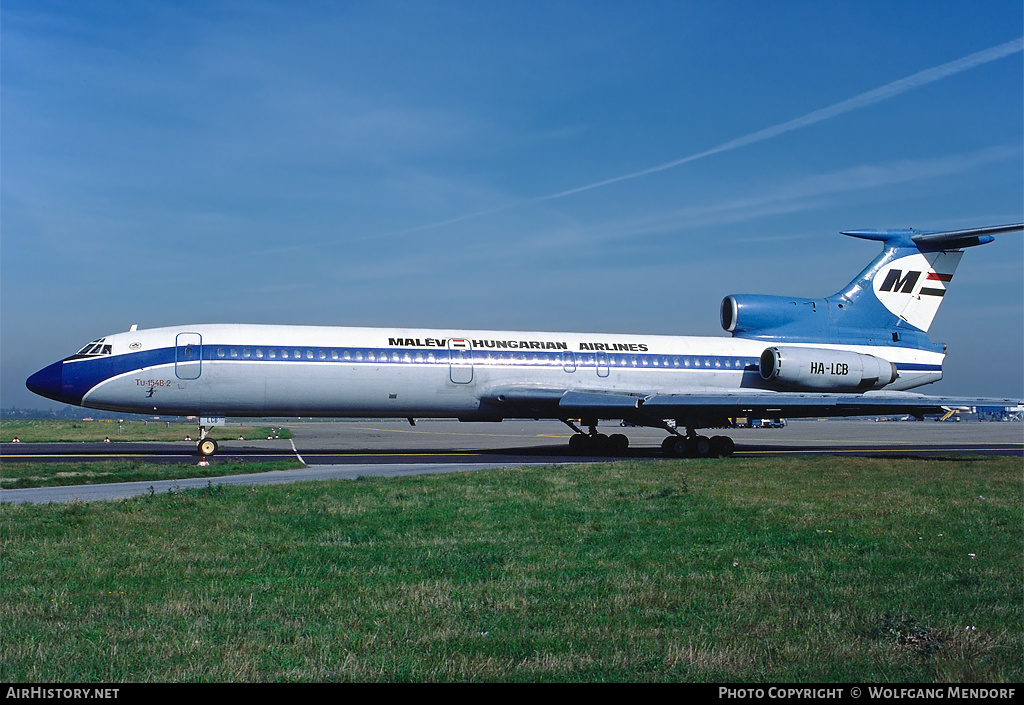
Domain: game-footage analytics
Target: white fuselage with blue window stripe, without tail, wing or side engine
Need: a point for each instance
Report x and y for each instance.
(265, 370)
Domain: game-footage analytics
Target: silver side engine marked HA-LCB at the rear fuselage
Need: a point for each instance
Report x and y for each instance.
(820, 369)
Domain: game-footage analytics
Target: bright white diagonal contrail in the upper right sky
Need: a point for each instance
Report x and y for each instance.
(889, 91)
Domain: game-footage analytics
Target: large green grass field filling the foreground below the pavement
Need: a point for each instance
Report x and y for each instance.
(771, 570)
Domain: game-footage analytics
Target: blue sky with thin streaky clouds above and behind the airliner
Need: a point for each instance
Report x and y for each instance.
(584, 167)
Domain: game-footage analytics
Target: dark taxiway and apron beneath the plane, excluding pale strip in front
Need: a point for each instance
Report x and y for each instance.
(396, 442)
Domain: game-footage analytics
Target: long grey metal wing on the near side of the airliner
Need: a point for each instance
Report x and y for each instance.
(705, 410)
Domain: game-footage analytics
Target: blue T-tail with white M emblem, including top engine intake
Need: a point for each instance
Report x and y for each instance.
(892, 303)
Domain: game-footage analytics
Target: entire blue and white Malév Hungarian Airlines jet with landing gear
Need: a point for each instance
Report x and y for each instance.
(856, 353)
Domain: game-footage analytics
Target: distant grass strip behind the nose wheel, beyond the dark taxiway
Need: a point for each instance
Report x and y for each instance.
(60, 431)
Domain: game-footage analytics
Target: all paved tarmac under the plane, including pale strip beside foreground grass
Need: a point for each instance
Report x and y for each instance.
(352, 449)
